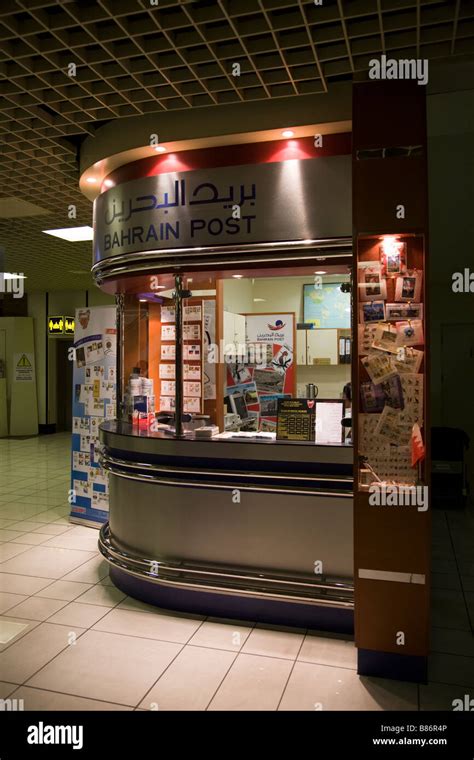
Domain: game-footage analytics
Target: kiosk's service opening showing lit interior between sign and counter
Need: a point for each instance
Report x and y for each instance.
(258, 354)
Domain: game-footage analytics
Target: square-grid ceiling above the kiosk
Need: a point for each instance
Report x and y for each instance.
(133, 57)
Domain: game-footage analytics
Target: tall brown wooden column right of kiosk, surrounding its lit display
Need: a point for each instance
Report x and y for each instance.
(392, 543)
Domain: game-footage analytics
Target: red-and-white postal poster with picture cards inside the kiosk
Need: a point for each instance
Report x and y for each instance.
(262, 383)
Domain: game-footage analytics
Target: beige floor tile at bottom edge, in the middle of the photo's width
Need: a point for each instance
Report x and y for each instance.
(253, 683)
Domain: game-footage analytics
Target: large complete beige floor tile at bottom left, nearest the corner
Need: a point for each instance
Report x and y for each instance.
(107, 666)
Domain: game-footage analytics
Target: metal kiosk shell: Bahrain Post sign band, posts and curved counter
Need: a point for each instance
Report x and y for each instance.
(282, 552)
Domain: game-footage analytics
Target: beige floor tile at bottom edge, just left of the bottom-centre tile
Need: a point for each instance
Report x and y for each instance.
(191, 680)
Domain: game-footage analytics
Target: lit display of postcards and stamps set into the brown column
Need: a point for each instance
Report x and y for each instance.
(391, 365)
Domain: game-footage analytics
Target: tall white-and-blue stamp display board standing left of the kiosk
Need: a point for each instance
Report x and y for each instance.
(94, 400)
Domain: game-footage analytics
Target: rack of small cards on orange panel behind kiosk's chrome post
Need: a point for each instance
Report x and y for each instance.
(195, 322)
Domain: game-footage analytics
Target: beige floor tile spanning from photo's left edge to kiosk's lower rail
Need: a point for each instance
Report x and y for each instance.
(45, 561)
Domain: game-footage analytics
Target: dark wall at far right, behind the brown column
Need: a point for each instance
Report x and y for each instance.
(450, 125)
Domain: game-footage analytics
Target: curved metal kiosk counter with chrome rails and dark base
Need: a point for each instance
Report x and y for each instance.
(245, 529)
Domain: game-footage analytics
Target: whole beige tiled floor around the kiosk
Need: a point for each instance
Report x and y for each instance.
(79, 643)
